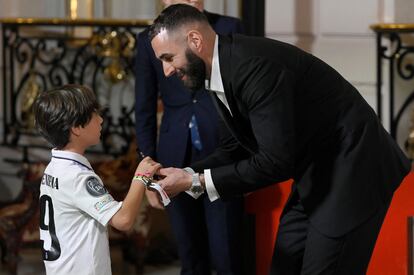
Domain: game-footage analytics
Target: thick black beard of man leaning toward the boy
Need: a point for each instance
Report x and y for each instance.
(195, 71)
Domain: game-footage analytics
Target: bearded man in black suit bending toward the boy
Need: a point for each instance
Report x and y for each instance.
(291, 116)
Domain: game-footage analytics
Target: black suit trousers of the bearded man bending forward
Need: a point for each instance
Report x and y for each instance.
(301, 249)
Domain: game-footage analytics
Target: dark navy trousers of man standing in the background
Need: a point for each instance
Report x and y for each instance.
(209, 234)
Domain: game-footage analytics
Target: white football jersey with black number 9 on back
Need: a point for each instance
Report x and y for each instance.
(75, 208)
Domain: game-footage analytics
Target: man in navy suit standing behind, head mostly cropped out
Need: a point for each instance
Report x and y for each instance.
(199, 226)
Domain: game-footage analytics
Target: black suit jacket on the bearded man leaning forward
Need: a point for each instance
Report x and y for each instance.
(293, 116)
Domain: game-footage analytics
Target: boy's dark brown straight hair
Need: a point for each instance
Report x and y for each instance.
(58, 110)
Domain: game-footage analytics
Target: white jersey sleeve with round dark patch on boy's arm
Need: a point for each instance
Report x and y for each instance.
(91, 196)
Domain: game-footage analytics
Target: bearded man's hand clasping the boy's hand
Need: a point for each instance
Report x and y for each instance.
(175, 180)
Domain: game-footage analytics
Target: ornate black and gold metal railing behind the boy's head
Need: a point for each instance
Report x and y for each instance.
(39, 54)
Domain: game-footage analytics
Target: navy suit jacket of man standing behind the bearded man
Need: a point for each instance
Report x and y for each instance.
(179, 104)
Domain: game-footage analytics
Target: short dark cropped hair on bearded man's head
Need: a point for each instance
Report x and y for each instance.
(174, 17)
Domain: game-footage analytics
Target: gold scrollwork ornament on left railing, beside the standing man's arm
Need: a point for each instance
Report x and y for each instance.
(115, 46)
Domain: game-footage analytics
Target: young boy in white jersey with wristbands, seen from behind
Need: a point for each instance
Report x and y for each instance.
(75, 207)
